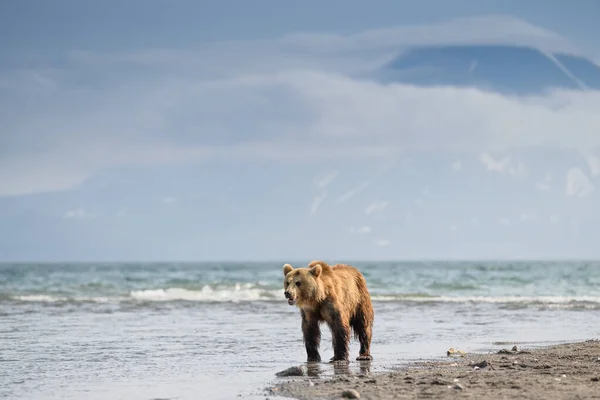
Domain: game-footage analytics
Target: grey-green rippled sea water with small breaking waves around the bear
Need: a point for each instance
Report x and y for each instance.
(222, 330)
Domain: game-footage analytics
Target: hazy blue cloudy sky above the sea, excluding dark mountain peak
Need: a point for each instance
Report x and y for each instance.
(192, 130)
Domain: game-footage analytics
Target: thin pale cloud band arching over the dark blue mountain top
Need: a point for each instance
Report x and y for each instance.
(329, 51)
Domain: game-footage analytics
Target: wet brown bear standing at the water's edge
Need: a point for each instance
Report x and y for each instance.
(335, 294)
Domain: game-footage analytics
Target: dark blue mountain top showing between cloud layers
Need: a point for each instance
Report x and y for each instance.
(501, 68)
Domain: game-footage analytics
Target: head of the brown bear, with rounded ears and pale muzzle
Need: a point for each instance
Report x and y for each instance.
(301, 285)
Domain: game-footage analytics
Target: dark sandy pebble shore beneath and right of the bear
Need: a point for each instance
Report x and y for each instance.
(562, 371)
